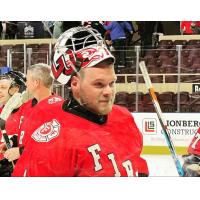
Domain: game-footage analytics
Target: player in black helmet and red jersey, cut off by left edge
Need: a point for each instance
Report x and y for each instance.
(12, 84)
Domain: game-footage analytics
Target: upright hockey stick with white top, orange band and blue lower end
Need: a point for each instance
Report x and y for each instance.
(160, 117)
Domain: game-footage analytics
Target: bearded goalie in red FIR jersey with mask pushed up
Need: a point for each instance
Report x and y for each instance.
(82, 137)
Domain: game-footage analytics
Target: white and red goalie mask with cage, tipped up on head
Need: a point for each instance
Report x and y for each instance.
(77, 48)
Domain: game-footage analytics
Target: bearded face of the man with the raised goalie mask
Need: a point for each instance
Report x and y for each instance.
(96, 89)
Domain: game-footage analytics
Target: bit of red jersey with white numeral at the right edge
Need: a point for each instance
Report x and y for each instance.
(194, 147)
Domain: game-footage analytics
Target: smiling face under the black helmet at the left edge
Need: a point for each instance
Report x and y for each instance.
(4, 86)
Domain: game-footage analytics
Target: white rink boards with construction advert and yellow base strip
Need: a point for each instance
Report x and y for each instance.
(182, 128)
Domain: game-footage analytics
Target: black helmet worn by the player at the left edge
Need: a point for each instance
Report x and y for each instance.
(17, 79)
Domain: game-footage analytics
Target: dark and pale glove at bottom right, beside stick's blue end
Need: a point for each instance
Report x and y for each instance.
(191, 165)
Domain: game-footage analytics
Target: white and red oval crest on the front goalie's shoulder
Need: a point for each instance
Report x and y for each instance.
(47, 131)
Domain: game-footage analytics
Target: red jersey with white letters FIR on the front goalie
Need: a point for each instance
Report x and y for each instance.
(65, 144)
